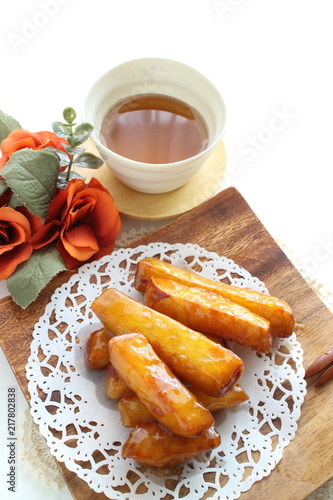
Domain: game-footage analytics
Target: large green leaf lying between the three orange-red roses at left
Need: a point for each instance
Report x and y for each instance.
(32, 175)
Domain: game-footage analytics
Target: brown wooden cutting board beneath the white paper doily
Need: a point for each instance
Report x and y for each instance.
(226, 224)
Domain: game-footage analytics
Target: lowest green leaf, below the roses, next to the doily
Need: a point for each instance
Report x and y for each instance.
(30, 277)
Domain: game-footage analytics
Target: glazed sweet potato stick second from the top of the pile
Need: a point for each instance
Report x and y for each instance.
(209, 313)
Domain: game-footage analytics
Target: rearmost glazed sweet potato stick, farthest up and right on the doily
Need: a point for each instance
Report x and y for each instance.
(276, 311)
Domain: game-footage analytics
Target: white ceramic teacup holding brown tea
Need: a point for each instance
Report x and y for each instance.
(155, 76)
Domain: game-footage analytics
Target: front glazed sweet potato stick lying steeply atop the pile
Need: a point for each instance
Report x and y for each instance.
(166, 398)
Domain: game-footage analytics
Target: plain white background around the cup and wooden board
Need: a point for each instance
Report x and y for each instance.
(270, 59)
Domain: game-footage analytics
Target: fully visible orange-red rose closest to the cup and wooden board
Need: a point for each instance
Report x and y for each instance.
(84, 220)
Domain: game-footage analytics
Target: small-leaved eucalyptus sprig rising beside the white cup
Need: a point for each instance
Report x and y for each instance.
(77, 156)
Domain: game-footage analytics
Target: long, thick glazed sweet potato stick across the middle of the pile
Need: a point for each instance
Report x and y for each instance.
(193, 357)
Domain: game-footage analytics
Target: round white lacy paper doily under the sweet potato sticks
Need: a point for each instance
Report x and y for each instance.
(82, 425)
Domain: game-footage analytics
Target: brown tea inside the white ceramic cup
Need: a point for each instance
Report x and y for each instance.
(154, 128)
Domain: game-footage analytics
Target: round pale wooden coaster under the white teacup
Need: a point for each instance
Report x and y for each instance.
(166, 205)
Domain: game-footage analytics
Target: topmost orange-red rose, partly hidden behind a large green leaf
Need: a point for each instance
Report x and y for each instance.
(20, 139)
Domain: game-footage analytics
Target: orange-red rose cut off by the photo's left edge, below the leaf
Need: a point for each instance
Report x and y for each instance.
(16, 229)
